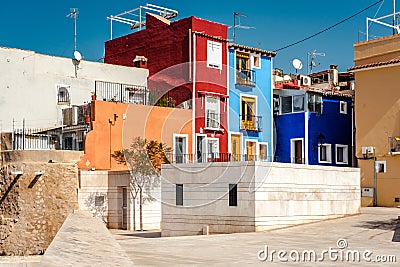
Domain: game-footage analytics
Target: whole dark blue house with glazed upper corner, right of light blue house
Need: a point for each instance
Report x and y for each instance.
(313, 126)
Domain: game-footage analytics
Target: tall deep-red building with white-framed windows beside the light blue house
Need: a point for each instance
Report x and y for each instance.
(187, 61)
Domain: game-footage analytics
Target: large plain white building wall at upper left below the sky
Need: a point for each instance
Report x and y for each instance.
(29, 84)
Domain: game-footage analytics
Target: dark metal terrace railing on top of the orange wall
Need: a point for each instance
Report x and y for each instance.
(118, 92)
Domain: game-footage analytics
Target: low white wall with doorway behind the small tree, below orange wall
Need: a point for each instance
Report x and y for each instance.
(112, 187)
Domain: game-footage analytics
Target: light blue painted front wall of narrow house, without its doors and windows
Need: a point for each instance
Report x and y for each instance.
(257, 86)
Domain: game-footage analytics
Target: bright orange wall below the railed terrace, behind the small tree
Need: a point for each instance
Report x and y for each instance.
(115, 125)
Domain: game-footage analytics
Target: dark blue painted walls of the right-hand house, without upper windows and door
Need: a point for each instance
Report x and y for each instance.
(326, 136)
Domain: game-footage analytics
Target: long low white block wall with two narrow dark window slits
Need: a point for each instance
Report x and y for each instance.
(269, 195)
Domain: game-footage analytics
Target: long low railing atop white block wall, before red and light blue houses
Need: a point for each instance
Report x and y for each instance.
(215, 157)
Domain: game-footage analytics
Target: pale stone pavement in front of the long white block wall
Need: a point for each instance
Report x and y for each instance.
(372, 230)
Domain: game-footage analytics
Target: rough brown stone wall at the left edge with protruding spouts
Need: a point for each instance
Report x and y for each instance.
(35, 199)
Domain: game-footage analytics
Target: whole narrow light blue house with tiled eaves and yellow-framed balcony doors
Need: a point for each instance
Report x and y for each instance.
(250, 102)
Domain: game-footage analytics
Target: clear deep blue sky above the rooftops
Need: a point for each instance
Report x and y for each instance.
(42, 26)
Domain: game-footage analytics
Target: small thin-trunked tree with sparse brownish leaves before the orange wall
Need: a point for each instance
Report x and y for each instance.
(144, 159)
